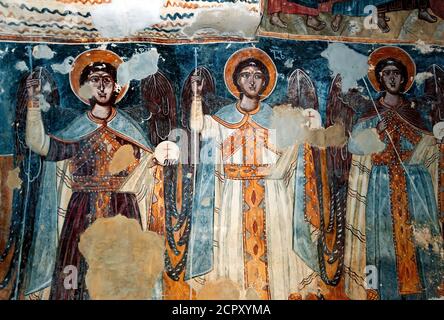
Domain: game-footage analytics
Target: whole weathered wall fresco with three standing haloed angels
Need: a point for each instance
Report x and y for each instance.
(234, 165)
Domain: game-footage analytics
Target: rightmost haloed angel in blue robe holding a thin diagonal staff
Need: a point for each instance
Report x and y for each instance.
(392, 204)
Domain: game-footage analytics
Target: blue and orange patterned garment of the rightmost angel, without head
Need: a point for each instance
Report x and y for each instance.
(400, 207)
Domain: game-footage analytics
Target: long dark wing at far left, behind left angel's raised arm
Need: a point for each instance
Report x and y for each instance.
(21, 231)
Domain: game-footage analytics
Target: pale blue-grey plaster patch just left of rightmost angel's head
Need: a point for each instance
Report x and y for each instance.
(351, 65)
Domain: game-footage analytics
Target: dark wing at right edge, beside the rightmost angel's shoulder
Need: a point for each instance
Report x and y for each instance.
(434, 88)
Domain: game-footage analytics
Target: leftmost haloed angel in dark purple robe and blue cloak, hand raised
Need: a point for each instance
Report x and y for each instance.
(81, 180)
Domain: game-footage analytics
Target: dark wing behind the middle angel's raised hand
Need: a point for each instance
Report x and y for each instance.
(208, 90)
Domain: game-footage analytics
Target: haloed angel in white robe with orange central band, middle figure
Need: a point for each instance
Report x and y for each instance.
(243, 210)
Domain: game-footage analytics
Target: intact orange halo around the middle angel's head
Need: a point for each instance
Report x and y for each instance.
(242, 55)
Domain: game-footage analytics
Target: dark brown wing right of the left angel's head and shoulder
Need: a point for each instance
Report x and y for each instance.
(158, 97)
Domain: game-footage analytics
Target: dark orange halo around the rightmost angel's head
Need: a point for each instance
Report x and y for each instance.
(395, 53)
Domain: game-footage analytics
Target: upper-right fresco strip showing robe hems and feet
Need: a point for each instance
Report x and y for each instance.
(388, 21)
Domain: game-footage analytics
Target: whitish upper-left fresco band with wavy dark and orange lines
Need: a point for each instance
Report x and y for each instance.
(107, 20)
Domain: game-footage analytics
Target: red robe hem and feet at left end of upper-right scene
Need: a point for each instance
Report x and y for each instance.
(309, 8)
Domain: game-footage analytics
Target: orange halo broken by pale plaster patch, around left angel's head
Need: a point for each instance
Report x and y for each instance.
(88, 57)
